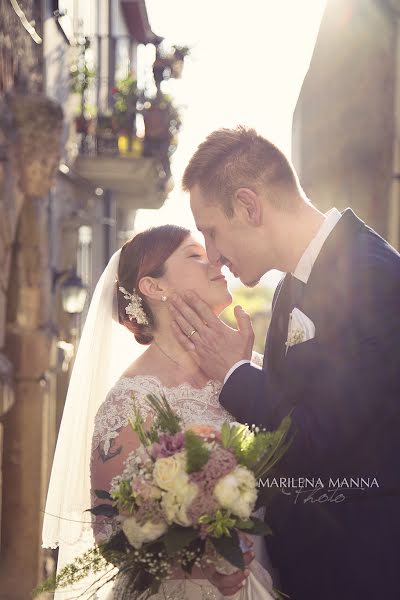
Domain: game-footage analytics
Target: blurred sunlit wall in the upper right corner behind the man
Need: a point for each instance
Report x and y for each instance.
(344, 120)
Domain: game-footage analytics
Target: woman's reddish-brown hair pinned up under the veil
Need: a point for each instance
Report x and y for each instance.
(142, 256)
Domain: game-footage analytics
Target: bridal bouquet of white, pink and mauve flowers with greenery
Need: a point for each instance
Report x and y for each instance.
(183, 499)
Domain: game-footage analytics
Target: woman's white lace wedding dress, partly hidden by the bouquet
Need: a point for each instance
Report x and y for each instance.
(193, 406)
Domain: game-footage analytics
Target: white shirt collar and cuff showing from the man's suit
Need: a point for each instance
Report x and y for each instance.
(306, 262)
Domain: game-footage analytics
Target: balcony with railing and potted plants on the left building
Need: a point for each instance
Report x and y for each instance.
(134, 168)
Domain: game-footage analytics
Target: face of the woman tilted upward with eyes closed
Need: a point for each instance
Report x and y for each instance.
(188, 268)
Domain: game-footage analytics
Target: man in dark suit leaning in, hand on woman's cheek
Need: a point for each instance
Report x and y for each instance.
(332, 355)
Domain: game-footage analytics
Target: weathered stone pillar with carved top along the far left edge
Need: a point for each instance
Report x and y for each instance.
(31, 130)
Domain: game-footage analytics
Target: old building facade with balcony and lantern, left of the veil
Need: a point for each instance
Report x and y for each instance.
(79, 154)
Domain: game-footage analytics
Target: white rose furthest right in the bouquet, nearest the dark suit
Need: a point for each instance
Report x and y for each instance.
(237, 492)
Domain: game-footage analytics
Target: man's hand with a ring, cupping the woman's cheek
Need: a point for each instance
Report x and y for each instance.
(215, 346)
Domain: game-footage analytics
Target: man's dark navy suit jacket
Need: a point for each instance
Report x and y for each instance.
(344, 388)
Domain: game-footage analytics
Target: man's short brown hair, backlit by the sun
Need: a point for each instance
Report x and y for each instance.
(232, 158)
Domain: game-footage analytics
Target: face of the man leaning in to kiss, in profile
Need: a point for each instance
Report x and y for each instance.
(227, 239)
